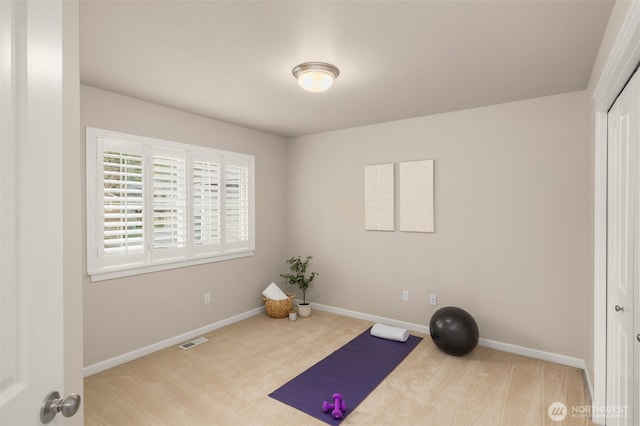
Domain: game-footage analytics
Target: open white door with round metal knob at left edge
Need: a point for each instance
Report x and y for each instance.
(31, 213)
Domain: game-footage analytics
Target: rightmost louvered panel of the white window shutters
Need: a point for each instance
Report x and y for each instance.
(236, 203)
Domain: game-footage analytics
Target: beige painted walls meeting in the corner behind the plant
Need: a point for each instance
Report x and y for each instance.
(513, 236)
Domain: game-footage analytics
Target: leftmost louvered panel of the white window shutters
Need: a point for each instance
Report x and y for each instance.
(122, 236)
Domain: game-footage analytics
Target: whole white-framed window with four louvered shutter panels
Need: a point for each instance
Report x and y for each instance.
(154, 204)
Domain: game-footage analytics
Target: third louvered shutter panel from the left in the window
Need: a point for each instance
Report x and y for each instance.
(205, 199)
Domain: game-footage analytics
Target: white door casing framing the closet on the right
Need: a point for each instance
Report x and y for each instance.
(625, 56)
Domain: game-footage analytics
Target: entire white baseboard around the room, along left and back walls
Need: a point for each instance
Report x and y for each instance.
(506, 347)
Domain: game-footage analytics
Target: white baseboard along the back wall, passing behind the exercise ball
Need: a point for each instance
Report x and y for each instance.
(505, 347)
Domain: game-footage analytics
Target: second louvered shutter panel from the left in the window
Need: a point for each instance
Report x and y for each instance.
(169, 211)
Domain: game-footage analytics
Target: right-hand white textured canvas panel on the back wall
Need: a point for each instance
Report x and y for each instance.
(416, 196)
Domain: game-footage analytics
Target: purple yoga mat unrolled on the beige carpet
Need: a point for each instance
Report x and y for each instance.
(354, 371)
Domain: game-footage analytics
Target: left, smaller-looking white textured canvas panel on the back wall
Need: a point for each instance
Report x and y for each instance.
(379, 197)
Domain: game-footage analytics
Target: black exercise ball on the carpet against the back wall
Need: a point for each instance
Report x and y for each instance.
(454, 331)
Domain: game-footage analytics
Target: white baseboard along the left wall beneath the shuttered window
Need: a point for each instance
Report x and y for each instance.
(130, 356)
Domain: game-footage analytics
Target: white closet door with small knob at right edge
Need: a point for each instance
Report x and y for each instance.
(622, 239)
